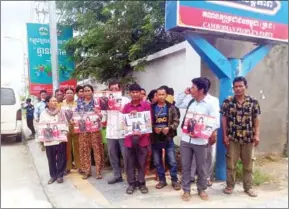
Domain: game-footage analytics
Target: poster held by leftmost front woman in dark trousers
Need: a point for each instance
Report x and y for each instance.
(48, 132)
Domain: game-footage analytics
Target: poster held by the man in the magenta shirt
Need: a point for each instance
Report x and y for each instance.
(139, 122)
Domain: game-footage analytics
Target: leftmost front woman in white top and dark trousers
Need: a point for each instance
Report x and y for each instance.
(55, 150)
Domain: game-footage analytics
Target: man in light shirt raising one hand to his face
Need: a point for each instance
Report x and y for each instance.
(191, 145)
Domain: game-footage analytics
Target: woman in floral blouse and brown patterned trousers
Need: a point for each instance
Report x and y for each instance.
(90, 140)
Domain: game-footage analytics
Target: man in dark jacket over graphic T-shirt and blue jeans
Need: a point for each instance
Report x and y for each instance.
(165, 121)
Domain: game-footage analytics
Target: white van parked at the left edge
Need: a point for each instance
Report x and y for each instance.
(11, 115)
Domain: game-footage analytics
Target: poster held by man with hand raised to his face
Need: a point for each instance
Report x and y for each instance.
(198, 125)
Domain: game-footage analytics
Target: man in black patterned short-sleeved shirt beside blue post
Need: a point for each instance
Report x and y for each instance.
(240, 122)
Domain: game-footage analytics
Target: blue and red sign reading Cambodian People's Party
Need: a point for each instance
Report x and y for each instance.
(266, 20)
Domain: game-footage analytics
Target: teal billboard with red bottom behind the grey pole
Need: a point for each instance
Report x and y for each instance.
(40, 71)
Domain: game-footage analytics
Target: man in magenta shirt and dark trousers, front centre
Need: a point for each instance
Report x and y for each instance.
(136, 145)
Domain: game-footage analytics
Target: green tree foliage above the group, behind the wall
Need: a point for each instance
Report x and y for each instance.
(112, 34)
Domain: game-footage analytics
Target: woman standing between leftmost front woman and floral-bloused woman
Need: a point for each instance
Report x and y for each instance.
(72, 148)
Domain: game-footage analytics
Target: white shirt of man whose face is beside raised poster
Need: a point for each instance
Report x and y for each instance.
(114, 118)
